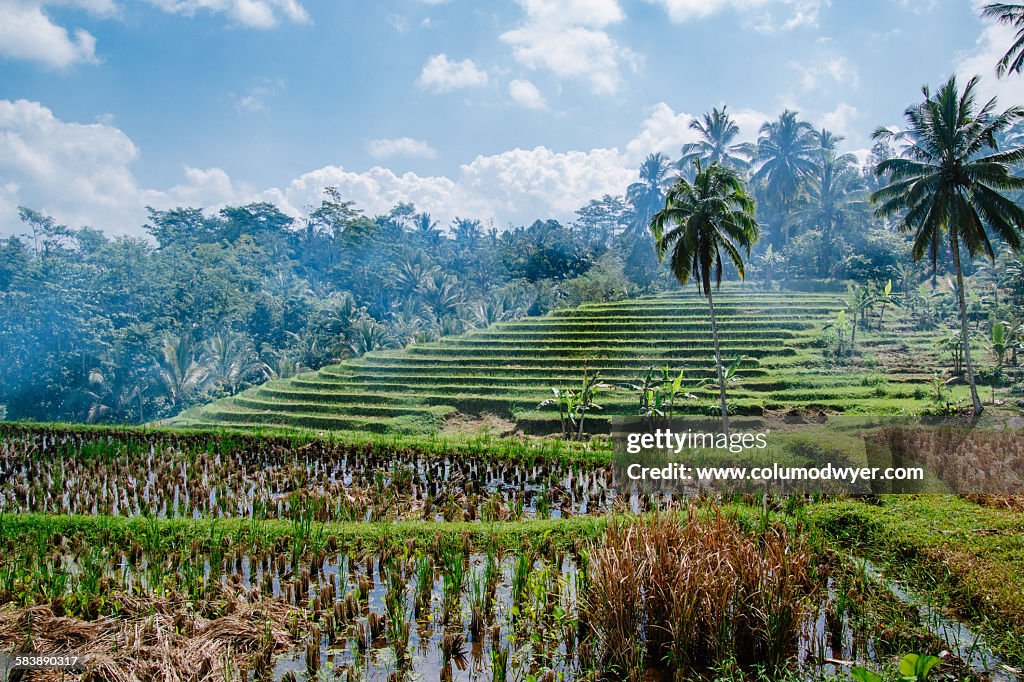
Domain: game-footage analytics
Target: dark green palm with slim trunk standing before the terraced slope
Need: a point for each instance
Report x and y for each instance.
(701, 221)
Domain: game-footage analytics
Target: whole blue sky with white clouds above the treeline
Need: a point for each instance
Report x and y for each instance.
(507, 111)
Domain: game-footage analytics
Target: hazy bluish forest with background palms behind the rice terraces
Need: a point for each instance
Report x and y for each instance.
(138, 329)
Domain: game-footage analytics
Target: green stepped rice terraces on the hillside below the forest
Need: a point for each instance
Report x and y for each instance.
(507, 370)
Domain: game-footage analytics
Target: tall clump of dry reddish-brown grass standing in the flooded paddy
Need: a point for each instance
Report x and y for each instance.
(686, 593)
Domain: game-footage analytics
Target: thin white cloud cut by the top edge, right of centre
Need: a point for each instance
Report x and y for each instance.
(760, 15)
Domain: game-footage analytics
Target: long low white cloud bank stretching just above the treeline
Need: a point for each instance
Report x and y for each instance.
(82, 175)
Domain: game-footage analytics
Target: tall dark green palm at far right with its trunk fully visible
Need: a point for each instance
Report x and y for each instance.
(949, 184)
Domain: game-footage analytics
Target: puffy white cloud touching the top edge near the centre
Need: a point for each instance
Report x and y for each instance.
(568, 38)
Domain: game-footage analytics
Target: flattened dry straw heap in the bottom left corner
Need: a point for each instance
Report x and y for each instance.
(156, 640)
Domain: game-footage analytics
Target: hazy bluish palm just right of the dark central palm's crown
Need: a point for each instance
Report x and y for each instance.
(787, 150)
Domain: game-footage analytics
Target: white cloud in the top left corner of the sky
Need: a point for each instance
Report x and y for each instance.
(27, 32)
